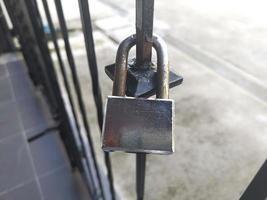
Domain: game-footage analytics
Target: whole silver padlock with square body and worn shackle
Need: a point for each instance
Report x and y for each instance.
(136, 124)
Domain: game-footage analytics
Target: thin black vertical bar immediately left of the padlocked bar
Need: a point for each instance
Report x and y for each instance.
(91, 58)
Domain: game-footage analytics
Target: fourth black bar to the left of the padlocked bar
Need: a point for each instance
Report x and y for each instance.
(51, 77)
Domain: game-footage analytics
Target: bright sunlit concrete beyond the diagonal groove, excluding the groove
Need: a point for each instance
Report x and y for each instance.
(231, 30)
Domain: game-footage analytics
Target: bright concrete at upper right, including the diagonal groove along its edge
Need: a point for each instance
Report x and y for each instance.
(225, 36)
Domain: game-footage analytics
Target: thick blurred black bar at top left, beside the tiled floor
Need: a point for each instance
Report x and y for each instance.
(24, 26)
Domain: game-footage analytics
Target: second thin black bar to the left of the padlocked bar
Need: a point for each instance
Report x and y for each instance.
(64, 31)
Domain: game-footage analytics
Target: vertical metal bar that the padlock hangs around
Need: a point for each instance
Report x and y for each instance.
(144, 42)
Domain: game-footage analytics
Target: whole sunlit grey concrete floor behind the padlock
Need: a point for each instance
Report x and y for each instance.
(220, 123)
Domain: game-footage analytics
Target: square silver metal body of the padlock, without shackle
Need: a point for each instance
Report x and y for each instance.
(138, 125)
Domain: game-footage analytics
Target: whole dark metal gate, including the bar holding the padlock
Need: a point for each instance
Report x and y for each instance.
(28, 28)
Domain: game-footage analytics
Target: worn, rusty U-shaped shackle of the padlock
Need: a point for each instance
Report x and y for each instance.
(162, 77)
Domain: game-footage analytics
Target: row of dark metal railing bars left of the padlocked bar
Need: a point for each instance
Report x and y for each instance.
(28, 27)
